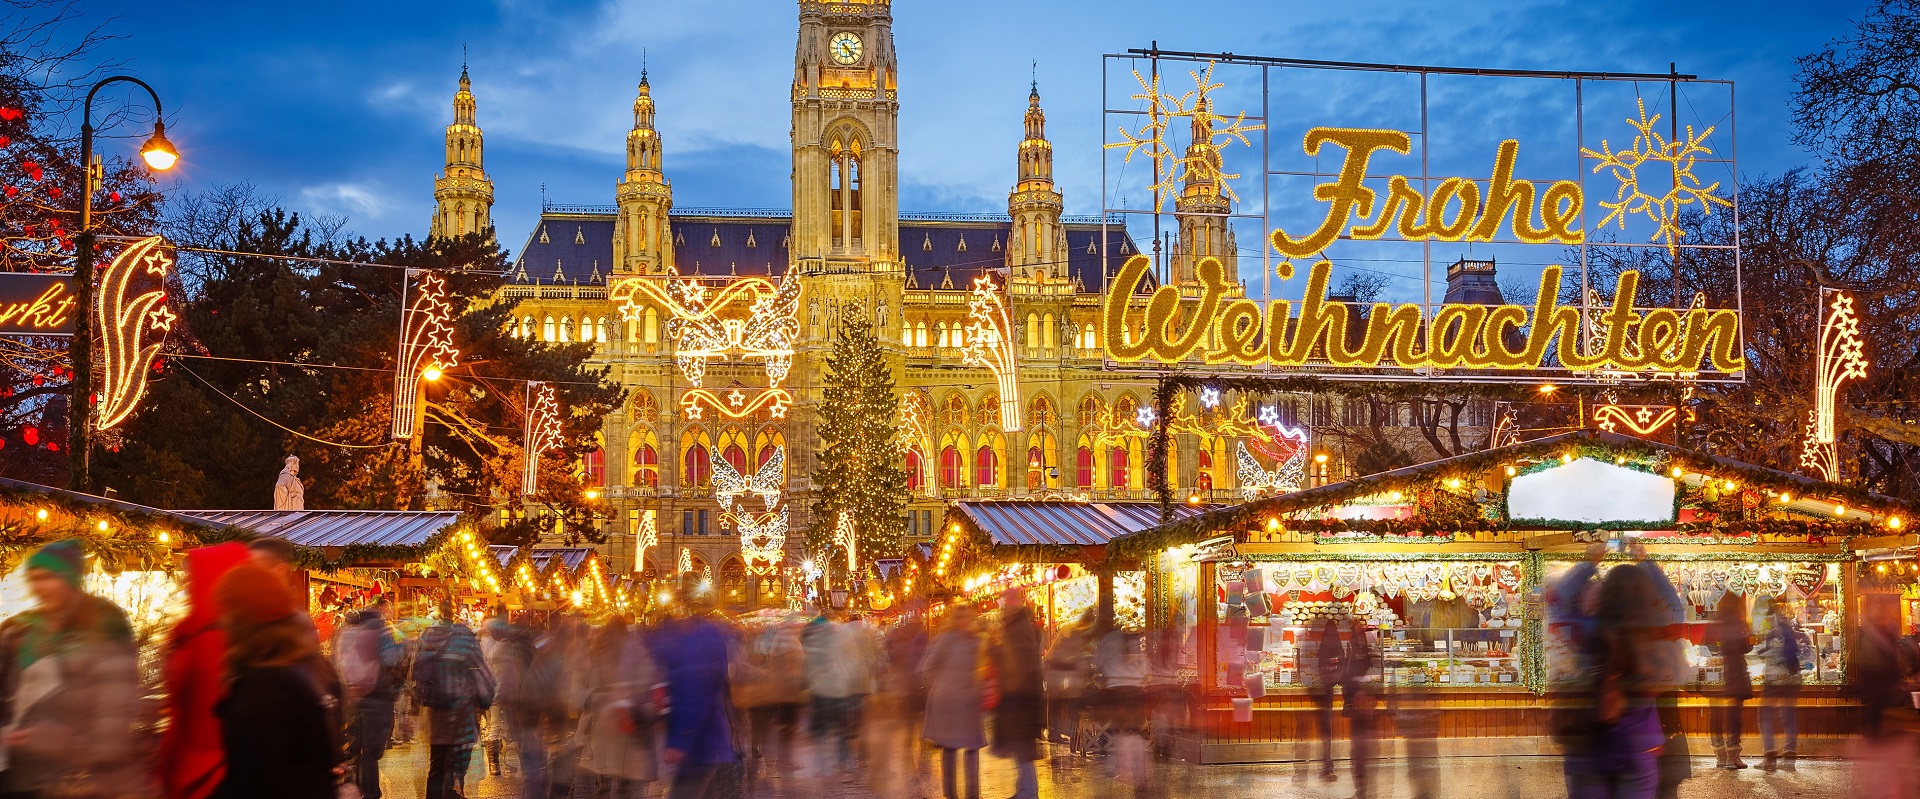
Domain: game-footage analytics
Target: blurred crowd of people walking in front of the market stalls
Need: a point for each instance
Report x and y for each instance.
(688, 704)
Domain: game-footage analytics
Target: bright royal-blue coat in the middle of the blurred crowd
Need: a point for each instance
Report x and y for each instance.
(694, 664)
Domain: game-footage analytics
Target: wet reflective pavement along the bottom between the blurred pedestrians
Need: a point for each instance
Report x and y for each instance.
(1074, 777)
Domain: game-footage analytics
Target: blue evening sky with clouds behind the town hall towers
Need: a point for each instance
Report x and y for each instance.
(341, 107)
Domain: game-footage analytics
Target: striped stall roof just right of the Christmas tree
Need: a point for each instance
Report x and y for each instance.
(1063, 523)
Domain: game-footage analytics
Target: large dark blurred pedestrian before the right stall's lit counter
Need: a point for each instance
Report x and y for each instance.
(1612, 731)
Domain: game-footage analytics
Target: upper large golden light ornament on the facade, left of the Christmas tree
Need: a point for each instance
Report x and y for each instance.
(752, 320)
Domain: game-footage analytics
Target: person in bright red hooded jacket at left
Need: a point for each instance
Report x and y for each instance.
(191, 762)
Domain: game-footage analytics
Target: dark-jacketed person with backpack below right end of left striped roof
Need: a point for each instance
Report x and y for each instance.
(452, 683)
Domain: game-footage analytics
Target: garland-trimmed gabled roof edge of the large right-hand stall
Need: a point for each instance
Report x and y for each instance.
(1806, 489)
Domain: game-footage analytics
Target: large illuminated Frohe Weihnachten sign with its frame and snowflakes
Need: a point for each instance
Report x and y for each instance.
(1639, 170)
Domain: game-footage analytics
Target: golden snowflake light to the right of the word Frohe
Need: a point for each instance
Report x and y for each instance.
(1652, 151)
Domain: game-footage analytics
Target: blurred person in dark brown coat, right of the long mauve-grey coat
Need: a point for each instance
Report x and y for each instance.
(1022, 710)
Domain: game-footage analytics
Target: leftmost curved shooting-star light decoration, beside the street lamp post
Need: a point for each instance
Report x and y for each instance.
(132, 326)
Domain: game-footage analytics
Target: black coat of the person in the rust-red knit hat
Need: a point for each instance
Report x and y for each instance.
(277, 737)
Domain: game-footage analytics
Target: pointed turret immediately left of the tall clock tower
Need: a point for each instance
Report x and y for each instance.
(642, 239)
